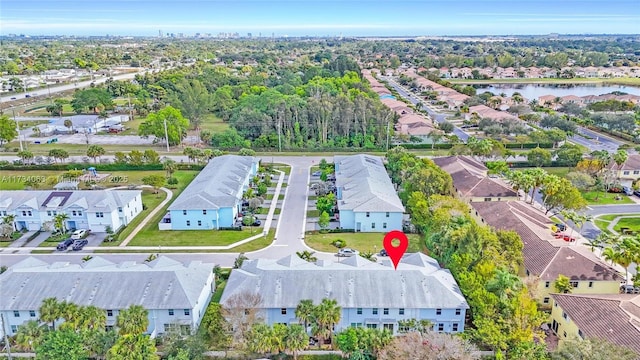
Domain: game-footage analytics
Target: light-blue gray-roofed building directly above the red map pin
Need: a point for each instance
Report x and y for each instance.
(367, 200)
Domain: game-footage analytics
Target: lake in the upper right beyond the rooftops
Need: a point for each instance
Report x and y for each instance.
(534, 91)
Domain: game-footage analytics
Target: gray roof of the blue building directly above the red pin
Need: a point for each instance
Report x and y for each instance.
(365, 184)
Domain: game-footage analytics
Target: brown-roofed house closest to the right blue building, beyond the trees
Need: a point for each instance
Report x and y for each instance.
(471, 182)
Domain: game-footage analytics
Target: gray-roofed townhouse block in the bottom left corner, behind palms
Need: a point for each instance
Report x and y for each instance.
(174, 294)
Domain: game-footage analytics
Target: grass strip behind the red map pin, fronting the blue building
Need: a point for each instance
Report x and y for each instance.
(360, 241)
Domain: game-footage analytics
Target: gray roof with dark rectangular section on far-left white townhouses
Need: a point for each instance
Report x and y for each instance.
(90, 200)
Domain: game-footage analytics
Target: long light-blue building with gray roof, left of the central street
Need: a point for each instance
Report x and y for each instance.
(214, 198)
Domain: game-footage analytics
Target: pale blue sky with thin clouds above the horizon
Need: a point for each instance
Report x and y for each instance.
(319, 17)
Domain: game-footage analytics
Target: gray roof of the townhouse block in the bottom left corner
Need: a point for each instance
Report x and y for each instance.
(161, 284)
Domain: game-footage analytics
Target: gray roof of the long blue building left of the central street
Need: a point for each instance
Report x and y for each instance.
(218, 185)
